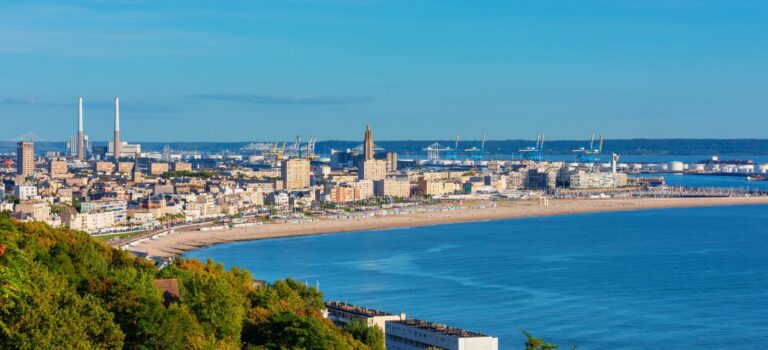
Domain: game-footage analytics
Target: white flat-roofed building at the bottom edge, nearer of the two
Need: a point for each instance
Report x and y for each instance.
(417, 334)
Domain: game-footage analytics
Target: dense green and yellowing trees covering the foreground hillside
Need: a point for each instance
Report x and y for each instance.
(61, 289)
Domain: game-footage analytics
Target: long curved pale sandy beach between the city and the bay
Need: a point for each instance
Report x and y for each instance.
(182, 241)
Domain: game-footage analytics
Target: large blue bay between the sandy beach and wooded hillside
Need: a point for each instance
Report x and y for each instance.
(676, 278)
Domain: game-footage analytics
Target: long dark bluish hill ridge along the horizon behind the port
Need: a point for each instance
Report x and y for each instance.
(623, 147)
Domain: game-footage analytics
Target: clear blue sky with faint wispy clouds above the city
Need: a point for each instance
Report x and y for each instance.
(269, 70)
